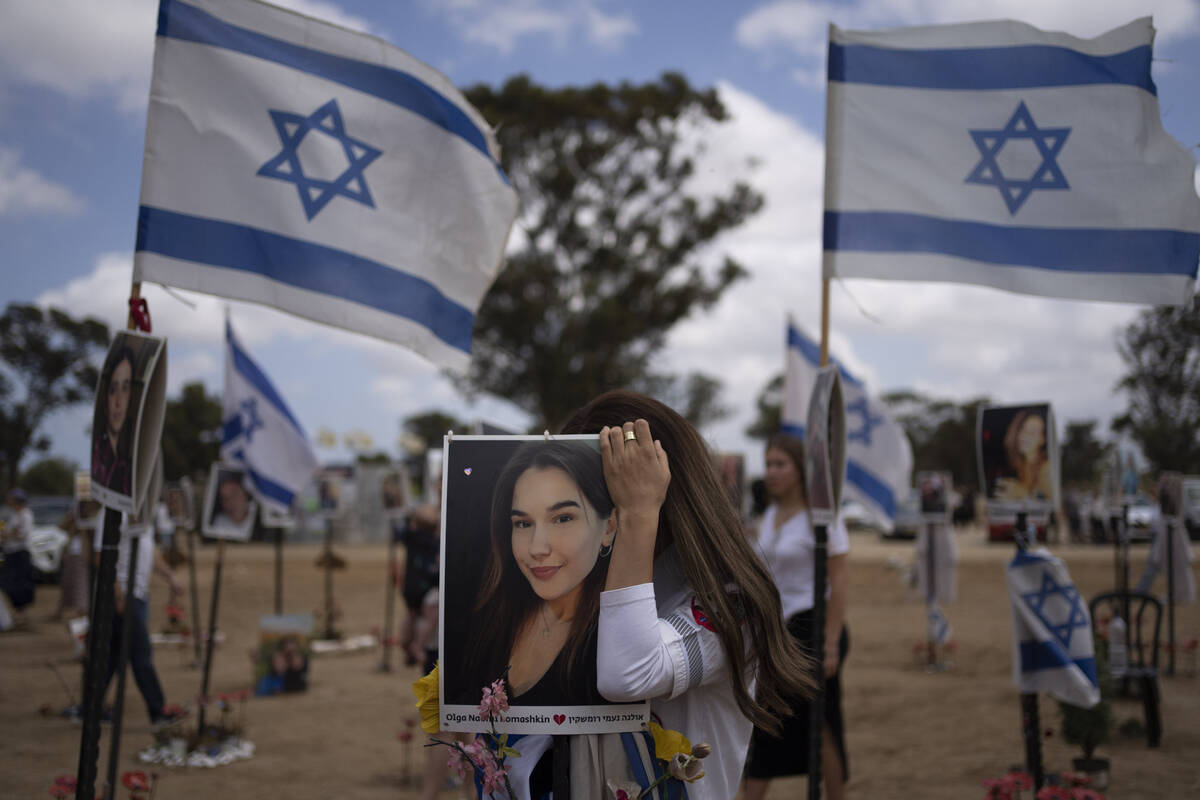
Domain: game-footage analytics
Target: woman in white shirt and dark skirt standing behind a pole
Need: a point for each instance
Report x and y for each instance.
(787, 544)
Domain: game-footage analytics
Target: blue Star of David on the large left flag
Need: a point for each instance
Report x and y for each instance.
(316, 193)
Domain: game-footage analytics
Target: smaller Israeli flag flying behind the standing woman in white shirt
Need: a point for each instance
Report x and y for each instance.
(879, 458)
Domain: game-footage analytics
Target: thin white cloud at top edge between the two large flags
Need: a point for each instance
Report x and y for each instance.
(502, 26)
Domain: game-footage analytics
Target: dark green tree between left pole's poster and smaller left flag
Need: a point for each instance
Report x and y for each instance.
(191, 434)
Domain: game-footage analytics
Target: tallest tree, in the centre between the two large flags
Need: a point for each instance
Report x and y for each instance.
(610, 243)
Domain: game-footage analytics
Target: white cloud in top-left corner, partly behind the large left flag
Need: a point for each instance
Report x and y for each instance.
(83, 49)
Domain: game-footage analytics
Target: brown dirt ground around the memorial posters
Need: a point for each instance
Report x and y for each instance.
(910, 733)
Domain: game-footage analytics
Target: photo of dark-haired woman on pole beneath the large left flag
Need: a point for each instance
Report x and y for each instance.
(112, 440)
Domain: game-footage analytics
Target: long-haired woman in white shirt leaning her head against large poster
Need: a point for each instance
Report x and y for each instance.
(691, 618)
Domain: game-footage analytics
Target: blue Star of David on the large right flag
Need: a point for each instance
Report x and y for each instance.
(1021, 127)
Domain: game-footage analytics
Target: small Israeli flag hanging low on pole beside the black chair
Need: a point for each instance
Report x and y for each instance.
(1053, 647)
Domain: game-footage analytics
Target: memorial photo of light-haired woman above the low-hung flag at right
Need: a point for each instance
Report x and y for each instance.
(1019, 456)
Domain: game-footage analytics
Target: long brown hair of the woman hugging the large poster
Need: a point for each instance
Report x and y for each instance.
(730, 581)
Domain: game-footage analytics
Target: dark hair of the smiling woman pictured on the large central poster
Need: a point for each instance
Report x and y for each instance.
(505, 594)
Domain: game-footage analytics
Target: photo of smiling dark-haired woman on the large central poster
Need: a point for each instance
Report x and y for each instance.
(550, 532)
